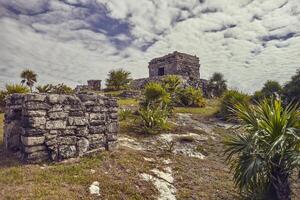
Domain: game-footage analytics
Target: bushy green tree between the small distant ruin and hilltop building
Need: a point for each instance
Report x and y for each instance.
(118, 79)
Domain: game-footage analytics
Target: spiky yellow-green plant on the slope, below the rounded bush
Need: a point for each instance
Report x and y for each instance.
(154, 118)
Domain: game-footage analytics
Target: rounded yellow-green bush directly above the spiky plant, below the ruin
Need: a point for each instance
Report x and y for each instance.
(155, 94)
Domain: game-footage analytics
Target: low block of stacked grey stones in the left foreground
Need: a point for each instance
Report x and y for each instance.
(57, 127)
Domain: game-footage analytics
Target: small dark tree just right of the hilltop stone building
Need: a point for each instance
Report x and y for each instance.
(217, 85)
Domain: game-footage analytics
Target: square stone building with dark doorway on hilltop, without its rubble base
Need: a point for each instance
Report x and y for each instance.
(175, 63)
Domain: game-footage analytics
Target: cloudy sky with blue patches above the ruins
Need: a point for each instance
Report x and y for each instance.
(70, 41)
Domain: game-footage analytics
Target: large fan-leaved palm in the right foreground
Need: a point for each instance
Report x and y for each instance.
(266, 152)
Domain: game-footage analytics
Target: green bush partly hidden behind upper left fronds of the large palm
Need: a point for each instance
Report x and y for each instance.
(229, 100)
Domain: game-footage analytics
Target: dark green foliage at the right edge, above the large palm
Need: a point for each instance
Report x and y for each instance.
(292, 88)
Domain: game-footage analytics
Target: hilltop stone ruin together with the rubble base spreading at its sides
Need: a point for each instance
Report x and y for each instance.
(181, 64)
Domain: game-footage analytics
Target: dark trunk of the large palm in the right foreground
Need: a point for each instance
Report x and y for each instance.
(281, 184)
